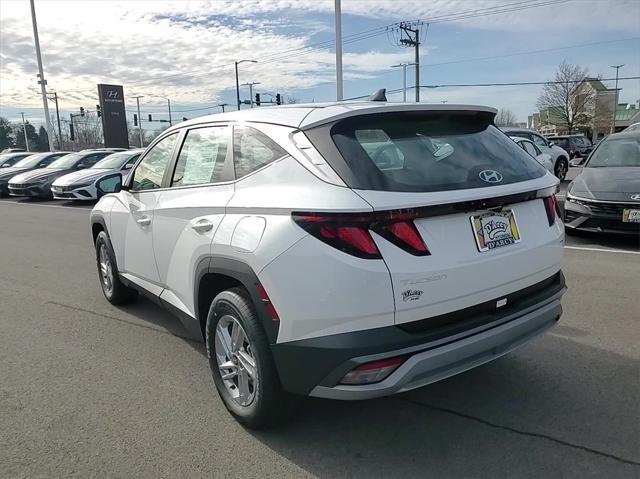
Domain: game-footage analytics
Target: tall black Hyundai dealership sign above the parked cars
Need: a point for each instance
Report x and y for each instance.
(114, 119)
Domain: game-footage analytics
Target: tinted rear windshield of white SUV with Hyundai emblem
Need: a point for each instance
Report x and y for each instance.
(433, 151)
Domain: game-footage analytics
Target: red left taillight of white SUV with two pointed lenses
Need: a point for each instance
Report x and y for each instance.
(351, 232)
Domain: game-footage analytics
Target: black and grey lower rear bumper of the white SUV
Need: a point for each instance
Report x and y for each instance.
(316, 366)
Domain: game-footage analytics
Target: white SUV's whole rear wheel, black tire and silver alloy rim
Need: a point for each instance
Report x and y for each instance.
(241, 363)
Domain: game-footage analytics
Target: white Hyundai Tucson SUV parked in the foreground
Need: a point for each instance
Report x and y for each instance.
(343, 250)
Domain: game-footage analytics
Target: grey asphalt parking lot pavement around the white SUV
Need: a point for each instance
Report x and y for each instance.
(91, 390)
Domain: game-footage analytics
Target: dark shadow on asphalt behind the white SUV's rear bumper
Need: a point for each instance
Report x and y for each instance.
(554, 409)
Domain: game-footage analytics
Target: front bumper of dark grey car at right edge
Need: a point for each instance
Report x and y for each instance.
(605, 219)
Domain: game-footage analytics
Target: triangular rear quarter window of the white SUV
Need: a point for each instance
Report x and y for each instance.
(252, 150)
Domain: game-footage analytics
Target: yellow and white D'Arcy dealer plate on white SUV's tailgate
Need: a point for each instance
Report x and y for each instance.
(495, 230)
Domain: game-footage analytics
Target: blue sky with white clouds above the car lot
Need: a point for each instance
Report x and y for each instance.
(185, 50)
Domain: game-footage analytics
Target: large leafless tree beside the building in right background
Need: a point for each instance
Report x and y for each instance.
(568, 95)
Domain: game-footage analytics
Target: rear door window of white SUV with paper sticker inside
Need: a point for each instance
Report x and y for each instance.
(201, 157)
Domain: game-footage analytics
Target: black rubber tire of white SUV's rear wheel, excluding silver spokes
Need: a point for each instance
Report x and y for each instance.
(270, 405)
